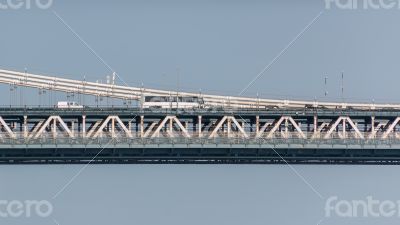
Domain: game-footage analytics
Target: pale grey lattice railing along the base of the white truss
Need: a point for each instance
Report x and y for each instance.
(107, 141)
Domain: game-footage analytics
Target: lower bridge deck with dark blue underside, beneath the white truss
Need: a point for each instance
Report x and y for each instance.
(206, 151)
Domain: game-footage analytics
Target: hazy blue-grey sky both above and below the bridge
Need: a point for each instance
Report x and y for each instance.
(219, 47)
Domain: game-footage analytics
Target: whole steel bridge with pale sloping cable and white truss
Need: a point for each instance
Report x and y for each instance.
(259, 131)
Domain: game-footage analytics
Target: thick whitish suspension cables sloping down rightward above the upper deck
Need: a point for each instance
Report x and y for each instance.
(134, 93)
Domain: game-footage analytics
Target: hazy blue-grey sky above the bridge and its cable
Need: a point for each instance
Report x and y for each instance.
(218, 46)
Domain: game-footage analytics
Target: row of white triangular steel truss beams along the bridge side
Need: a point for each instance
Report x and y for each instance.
(62, 126)
